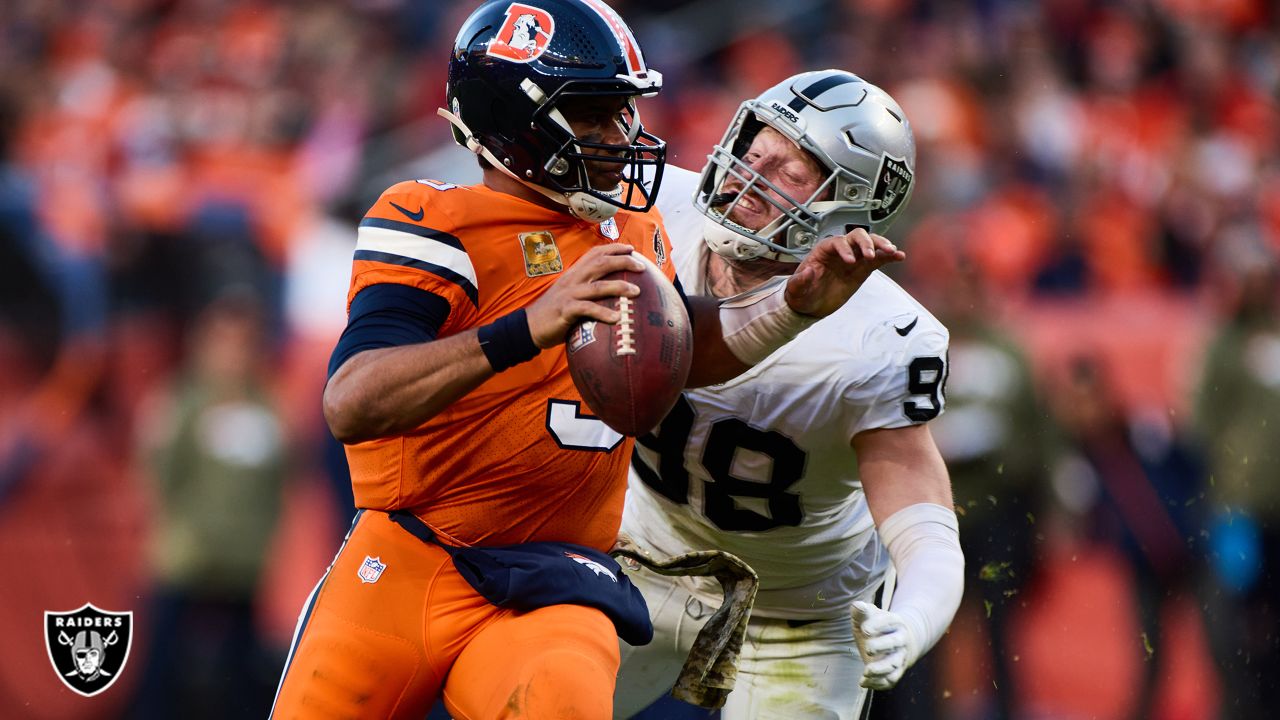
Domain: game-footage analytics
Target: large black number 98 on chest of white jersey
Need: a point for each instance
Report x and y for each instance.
(720, 498)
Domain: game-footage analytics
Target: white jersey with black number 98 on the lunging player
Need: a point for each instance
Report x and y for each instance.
(762, 466)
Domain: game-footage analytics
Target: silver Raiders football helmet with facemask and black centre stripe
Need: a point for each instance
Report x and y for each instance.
(856, 133)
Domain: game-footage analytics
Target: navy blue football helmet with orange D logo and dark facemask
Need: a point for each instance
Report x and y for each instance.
(515, 62)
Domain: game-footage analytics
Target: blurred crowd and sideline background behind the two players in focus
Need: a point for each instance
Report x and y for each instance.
(1096, 217)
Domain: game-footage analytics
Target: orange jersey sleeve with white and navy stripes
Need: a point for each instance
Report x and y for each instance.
(409, 239)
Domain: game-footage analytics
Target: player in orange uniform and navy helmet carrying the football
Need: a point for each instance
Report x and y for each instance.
(477, 567)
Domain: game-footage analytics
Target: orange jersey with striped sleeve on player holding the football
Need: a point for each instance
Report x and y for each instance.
(518, 459)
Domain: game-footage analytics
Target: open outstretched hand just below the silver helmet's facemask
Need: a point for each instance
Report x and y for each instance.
(835, 270)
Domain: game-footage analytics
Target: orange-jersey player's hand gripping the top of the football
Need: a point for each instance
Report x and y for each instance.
(573, 297)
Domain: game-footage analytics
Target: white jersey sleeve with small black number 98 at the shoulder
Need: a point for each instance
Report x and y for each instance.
(906, 385)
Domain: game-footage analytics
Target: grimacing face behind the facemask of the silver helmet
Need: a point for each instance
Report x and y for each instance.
(780, 162)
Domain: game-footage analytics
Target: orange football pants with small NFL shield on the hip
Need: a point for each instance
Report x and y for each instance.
(392, 648)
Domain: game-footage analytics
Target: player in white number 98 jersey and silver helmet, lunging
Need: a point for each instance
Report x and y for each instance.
(816, 467)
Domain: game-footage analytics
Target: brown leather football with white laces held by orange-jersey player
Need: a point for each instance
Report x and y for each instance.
(632, 373)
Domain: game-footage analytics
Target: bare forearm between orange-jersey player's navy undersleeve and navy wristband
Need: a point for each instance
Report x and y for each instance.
(394, 390)
